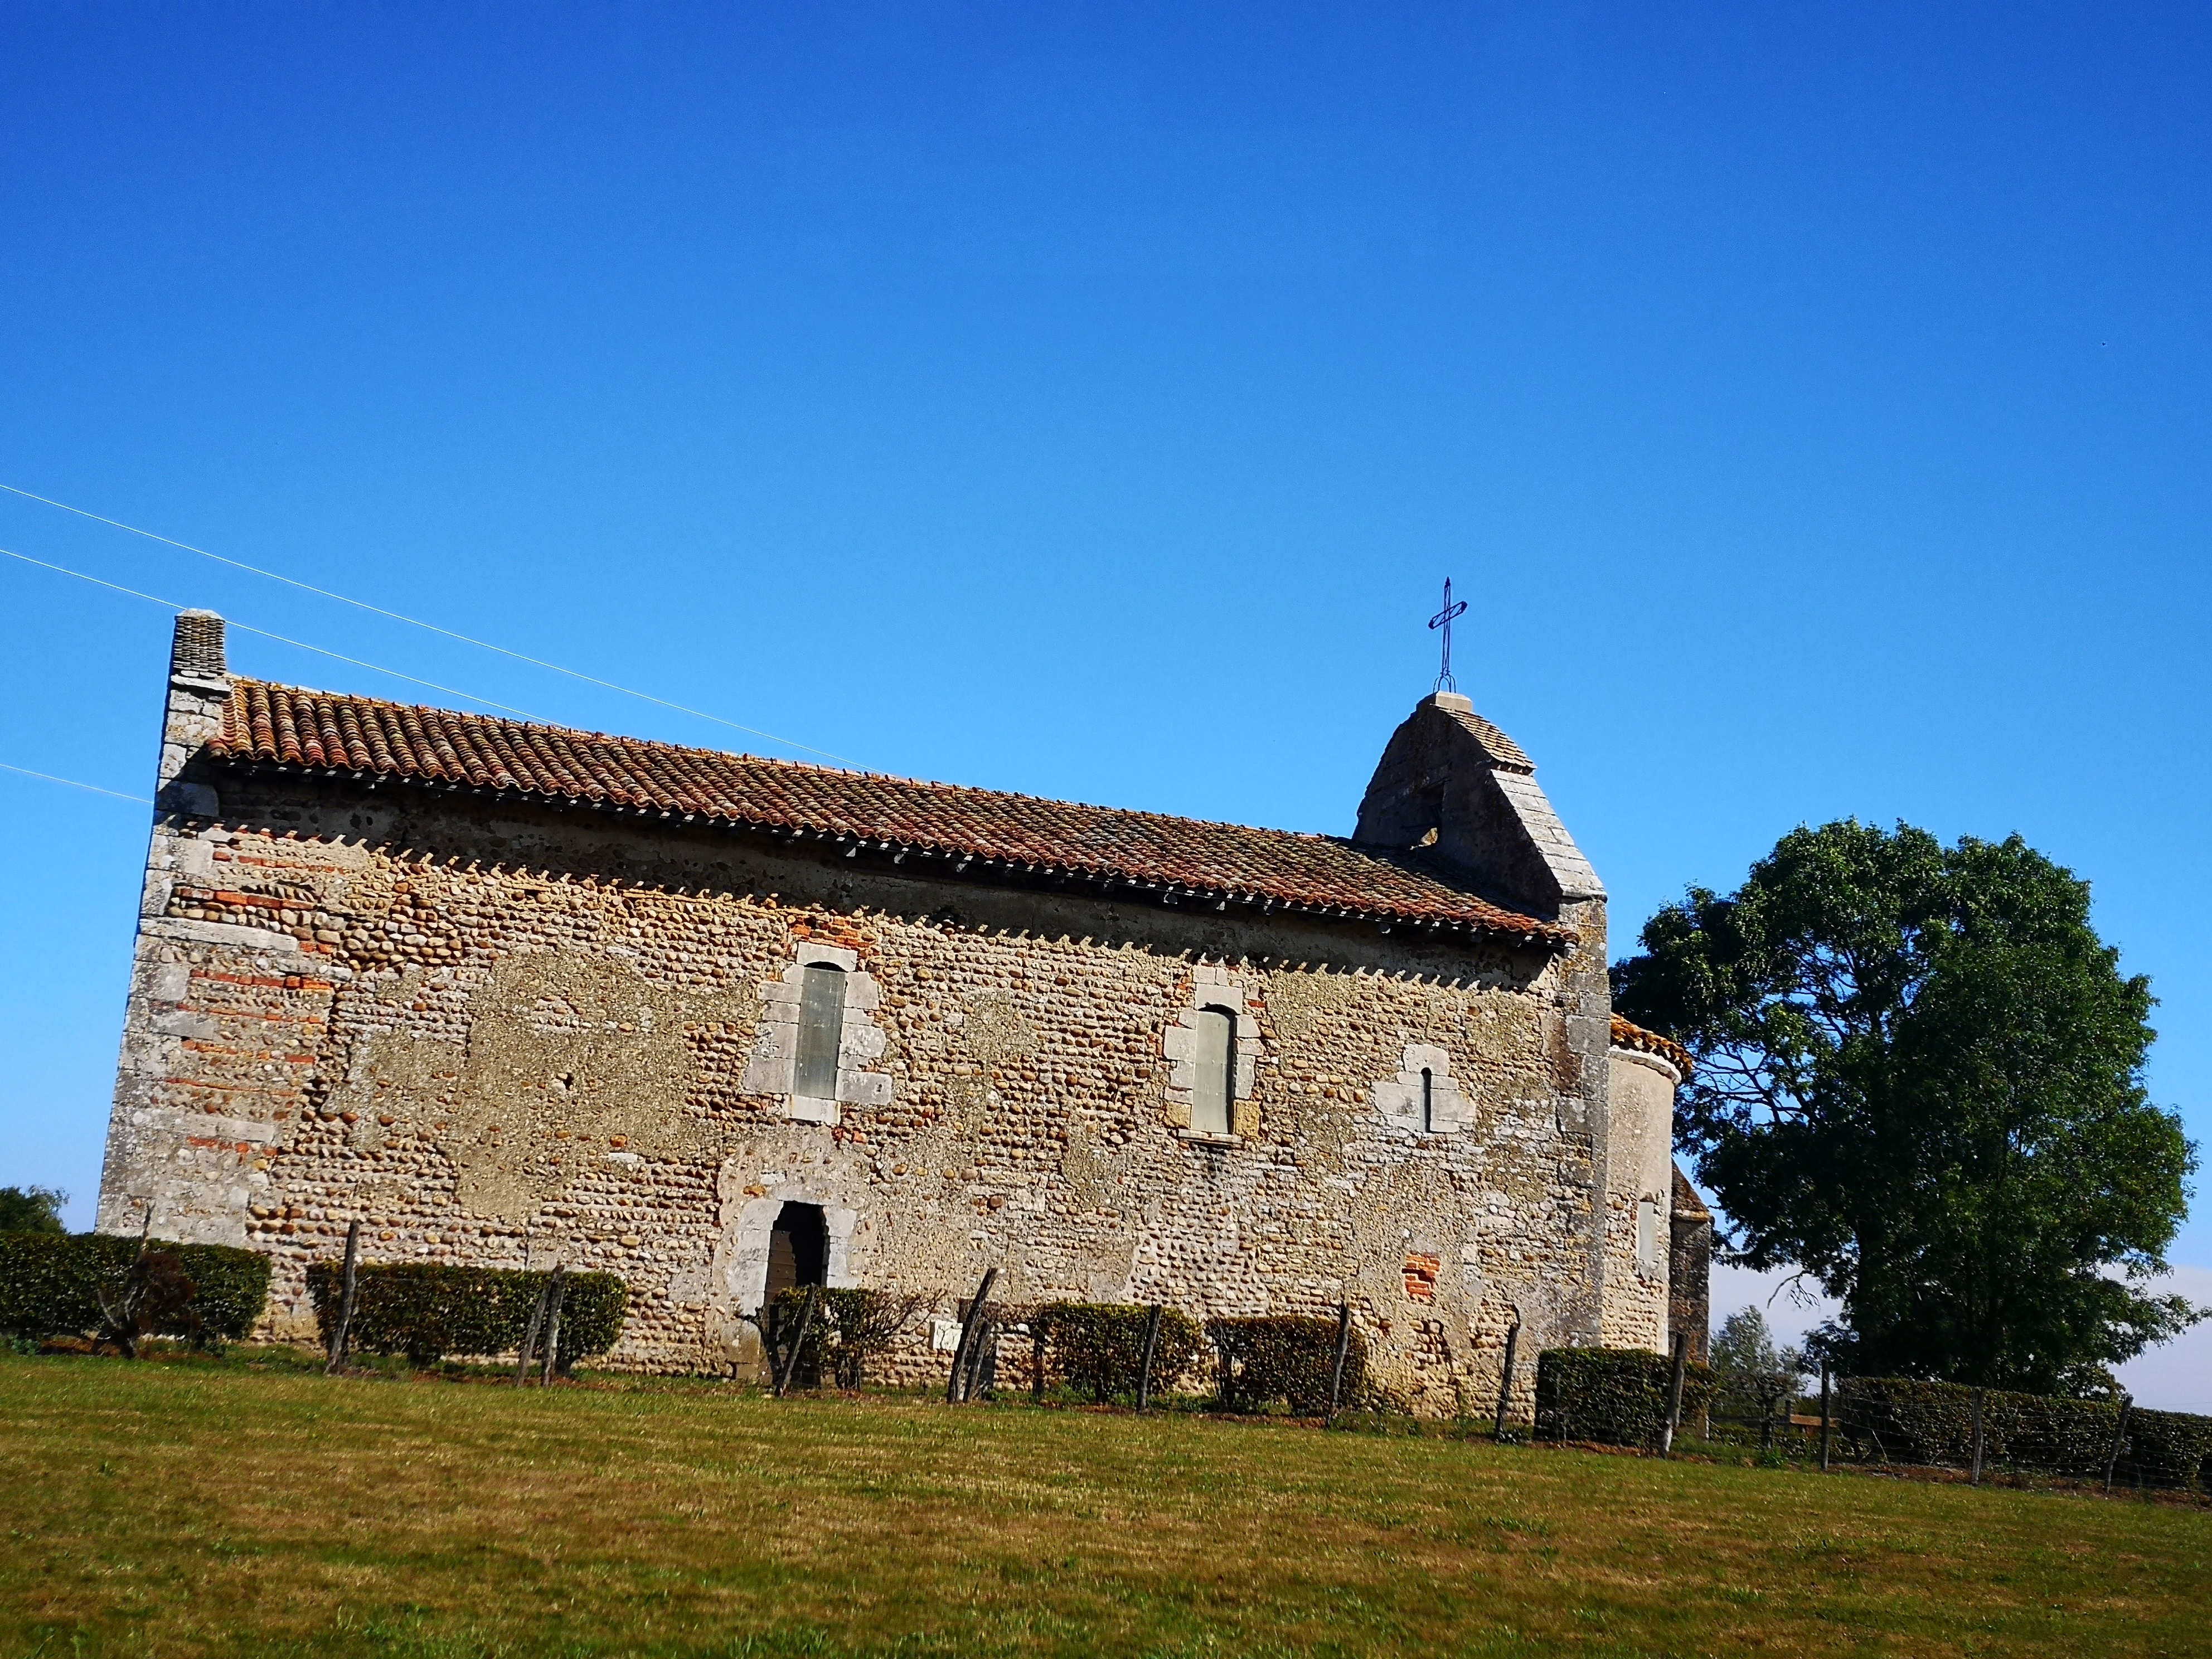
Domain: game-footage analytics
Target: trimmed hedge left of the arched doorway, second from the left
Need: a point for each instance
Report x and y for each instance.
(428, 1311)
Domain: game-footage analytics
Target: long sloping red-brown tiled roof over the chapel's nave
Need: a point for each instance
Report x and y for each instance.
(289, 727)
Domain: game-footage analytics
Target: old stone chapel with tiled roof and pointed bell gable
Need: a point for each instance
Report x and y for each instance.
(512, 994)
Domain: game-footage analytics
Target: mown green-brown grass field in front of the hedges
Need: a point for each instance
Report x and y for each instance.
(262, 1510)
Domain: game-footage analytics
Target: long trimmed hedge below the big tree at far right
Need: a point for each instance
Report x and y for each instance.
(1897, 1419)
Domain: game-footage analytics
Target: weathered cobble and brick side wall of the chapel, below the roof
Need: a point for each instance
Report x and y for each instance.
(514, 1030)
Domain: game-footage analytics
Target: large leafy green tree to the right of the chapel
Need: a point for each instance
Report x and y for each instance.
(1921, 1083)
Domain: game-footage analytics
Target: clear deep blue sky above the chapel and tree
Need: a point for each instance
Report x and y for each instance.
(1092, 401)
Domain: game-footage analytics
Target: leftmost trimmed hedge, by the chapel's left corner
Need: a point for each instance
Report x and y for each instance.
(52, 1282)
